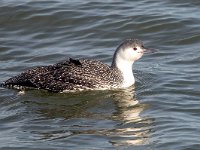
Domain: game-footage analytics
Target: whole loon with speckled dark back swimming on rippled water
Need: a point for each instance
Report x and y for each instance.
(83, 74)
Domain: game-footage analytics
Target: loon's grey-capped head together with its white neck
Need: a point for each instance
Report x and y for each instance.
(125, 55)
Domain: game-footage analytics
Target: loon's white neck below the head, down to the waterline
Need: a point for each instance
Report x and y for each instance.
(126, 69)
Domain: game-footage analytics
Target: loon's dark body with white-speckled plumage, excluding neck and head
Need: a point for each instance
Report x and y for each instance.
(68, 75)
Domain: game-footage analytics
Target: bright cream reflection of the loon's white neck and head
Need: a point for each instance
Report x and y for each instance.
(133, 129)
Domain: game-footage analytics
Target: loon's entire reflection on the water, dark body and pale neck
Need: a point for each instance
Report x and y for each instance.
(115, 115)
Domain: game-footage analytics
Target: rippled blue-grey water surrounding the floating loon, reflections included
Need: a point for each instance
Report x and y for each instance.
(161, 113)
